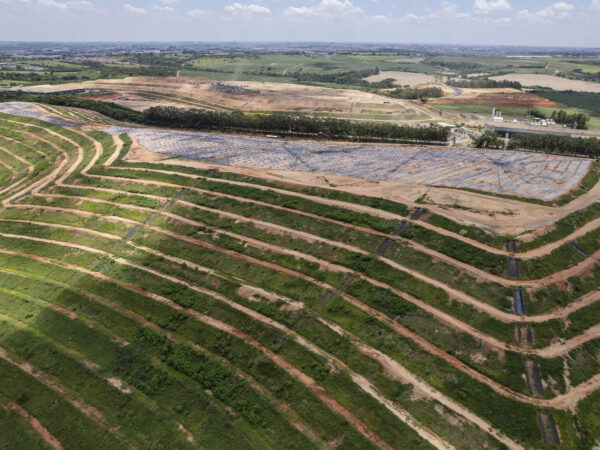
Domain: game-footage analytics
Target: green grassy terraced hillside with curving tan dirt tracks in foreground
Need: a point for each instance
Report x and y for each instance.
(152, 305)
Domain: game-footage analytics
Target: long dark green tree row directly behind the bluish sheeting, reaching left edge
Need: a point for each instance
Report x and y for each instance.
(292, 124)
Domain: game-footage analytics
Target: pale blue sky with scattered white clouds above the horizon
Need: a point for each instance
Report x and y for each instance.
(472, 22)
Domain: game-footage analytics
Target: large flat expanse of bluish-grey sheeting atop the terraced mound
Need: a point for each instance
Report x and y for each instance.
(522, 174)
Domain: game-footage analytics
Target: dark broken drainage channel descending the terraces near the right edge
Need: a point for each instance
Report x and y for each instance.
(524, 334)
